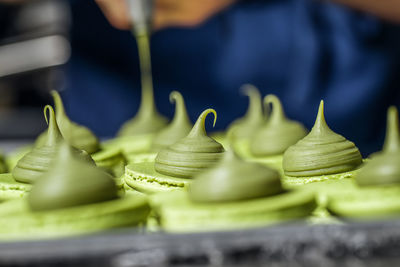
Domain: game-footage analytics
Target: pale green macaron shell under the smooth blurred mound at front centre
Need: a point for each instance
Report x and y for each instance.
(178, 214)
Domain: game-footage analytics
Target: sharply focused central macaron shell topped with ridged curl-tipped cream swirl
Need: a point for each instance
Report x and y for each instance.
(174, 165)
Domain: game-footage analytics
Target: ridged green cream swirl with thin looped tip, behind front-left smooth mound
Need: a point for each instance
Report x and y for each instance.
(38, 161)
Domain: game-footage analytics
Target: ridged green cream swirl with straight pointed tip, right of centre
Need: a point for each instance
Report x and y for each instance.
(321, 152)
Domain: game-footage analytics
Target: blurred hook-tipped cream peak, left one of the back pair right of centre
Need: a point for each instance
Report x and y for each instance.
(254, 117)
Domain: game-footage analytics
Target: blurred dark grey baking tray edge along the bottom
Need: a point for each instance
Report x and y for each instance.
(352, 244)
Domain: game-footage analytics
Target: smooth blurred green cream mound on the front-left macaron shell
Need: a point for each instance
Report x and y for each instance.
(70, 182)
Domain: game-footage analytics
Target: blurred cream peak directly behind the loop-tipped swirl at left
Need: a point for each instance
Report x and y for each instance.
(76, 135)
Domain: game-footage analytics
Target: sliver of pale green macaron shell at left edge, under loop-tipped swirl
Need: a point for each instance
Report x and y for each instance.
(10, 189)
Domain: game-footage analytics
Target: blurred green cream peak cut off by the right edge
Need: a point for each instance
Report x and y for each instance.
(384, 167)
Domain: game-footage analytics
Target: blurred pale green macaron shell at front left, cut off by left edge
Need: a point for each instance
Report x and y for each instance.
(20, 223)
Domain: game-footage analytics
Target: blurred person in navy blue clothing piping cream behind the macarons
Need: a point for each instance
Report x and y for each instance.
(300, 50)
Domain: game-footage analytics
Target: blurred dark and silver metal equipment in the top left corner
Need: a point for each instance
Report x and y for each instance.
(33, 45)
